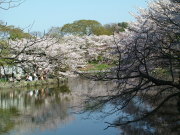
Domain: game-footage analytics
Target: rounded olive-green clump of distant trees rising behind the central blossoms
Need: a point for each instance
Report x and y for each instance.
(87, 27)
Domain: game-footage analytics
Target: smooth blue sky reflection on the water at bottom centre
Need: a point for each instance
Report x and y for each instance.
(80, 127)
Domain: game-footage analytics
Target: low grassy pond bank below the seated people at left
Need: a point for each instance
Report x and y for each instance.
(31, 83)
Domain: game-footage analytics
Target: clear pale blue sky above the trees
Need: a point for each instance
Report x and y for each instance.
(44, 14)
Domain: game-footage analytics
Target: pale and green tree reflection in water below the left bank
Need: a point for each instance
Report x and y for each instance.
(39, 108)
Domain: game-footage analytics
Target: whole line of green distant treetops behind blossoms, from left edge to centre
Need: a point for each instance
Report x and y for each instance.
(78, 28)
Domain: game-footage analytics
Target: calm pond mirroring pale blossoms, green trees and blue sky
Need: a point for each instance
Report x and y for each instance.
(55, 110)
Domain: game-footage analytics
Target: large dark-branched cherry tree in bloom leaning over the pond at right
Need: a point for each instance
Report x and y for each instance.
(149, 66)
